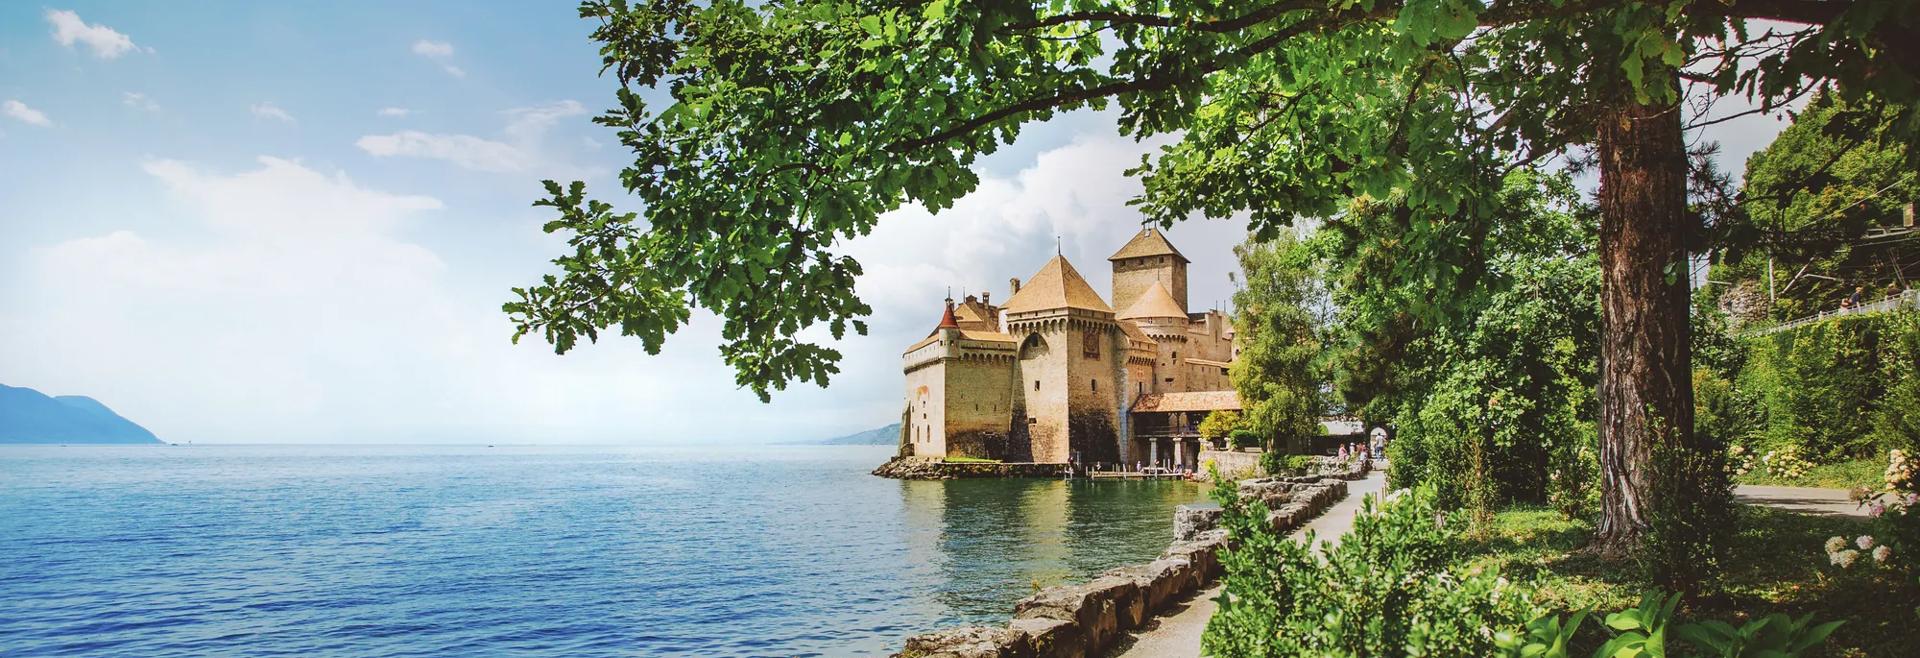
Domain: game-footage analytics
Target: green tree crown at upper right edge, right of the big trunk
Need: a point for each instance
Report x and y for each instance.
(1808, 202)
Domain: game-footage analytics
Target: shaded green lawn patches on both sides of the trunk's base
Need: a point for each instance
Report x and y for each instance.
(1775, 565)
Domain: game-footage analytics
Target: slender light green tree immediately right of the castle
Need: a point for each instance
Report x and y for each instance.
(1278, 369)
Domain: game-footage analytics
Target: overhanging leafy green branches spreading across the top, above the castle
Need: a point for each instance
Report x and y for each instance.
(769, 133)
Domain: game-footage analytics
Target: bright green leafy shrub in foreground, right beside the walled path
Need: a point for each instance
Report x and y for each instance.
(1395, 586)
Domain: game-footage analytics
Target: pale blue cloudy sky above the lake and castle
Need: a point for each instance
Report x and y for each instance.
(295, 223)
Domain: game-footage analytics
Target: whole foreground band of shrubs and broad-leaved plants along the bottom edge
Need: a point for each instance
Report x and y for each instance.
(1408, 582)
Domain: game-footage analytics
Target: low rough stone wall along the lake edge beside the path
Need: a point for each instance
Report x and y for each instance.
(1084, 621)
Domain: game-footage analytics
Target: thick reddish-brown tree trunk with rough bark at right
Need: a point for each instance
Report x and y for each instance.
(1646, 390)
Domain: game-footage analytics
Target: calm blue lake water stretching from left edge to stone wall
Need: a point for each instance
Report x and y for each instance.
(562, 552)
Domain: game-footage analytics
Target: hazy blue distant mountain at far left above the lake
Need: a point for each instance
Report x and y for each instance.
(34, 417)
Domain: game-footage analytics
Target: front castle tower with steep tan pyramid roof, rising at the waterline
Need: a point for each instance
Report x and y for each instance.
(1070, 369)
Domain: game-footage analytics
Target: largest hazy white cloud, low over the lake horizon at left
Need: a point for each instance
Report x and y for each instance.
(297, 306)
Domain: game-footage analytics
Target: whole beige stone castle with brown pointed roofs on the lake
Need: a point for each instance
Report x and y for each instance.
(1057, 375)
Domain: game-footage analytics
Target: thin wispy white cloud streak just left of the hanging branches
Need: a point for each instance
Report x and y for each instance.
(521, 151)
